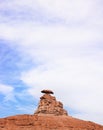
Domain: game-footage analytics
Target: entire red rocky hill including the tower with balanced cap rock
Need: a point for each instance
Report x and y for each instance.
(49, 115)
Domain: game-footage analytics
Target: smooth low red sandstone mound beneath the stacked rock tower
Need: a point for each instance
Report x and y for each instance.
(46, 122)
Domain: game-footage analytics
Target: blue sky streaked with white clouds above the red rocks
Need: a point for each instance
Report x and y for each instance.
(56, 45)
